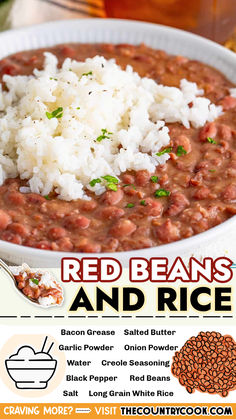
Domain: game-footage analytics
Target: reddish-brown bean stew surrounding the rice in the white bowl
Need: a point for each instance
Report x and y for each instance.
(199, 184)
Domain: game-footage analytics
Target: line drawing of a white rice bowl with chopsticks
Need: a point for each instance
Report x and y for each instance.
(31, 370)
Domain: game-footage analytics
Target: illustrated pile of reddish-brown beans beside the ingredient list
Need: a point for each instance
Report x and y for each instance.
(207, 363)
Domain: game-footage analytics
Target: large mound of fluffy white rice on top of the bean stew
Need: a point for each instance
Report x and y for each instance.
(63, 154)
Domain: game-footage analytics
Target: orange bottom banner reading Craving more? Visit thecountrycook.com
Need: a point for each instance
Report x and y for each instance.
(119, 410)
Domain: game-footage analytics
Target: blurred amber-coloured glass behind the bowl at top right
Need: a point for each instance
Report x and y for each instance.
(214, 19)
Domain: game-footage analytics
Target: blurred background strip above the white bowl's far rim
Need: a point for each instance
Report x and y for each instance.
(214, 19)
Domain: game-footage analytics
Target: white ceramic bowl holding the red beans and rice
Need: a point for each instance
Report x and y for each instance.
(173, 41)
